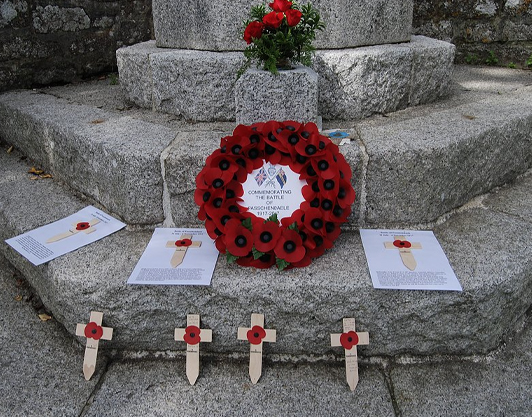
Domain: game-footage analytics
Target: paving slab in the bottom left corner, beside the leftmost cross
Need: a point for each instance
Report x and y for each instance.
(40, 364)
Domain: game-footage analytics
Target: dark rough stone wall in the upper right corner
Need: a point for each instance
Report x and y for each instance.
(478, 27)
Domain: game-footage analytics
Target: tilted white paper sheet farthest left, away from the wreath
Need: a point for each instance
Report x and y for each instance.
(55, 239)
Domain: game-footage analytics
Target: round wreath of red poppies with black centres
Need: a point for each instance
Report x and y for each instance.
(292, 241)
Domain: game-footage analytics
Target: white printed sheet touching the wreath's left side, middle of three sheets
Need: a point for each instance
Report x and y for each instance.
(197, 267)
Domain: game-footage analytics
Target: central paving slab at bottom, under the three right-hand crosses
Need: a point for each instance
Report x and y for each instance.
(160, 389)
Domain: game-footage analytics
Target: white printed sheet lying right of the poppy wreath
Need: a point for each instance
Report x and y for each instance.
(387, 268)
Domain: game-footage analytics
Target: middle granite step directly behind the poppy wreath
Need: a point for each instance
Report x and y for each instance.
(410, 167)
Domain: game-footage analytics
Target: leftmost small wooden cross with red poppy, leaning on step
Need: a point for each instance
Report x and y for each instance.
(93, 331)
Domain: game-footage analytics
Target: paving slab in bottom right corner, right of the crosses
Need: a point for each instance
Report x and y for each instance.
(496, 386)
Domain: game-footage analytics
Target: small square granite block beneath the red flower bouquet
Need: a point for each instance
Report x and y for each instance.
(290, 95)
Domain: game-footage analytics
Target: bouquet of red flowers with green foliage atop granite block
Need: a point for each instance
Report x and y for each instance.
(282, 35)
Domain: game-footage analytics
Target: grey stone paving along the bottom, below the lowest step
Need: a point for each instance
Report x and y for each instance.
(37, 353)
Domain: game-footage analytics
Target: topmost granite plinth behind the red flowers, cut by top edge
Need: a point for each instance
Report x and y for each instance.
(217, 25)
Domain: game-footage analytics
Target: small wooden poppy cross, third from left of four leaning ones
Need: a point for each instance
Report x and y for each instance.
(256, 335)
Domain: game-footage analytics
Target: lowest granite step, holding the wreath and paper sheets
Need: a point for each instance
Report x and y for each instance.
(486, 243)
